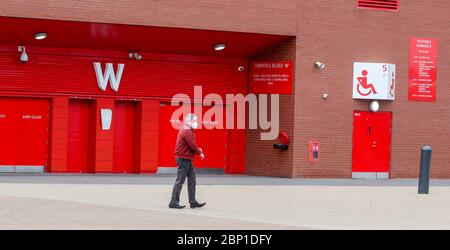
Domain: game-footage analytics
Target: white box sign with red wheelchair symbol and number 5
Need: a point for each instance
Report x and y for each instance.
(374, 81)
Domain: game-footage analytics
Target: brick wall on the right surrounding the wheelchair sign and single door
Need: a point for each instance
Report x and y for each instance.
(338, 33)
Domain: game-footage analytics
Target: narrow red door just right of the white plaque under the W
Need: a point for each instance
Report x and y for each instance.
(124, 137)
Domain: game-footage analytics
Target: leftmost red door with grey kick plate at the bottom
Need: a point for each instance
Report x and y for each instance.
(24, 134)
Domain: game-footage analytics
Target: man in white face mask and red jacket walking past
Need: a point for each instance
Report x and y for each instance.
(185, 150)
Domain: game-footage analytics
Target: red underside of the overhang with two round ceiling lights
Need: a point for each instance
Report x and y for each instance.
(119, 37)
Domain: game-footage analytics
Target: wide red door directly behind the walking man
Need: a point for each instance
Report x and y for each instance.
(212, 141)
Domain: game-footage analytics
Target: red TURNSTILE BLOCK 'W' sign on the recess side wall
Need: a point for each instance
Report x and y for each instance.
(271, 77)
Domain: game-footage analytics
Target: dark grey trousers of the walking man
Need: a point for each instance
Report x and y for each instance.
(185, 168)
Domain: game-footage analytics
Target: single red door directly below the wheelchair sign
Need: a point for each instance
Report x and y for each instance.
(371, 144)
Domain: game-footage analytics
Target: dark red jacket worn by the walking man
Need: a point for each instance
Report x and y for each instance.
(185, 146)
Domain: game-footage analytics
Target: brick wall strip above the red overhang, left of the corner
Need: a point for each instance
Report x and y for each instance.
(232, 15)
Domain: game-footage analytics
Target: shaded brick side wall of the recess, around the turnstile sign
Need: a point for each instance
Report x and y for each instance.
(262, 159)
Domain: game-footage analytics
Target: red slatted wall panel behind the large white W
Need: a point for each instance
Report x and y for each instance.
(48, 73)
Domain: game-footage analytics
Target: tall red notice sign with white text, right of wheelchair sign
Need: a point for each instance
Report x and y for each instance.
(422, 69)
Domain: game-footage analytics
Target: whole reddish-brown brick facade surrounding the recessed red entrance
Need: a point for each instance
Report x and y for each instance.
(335, 32)
